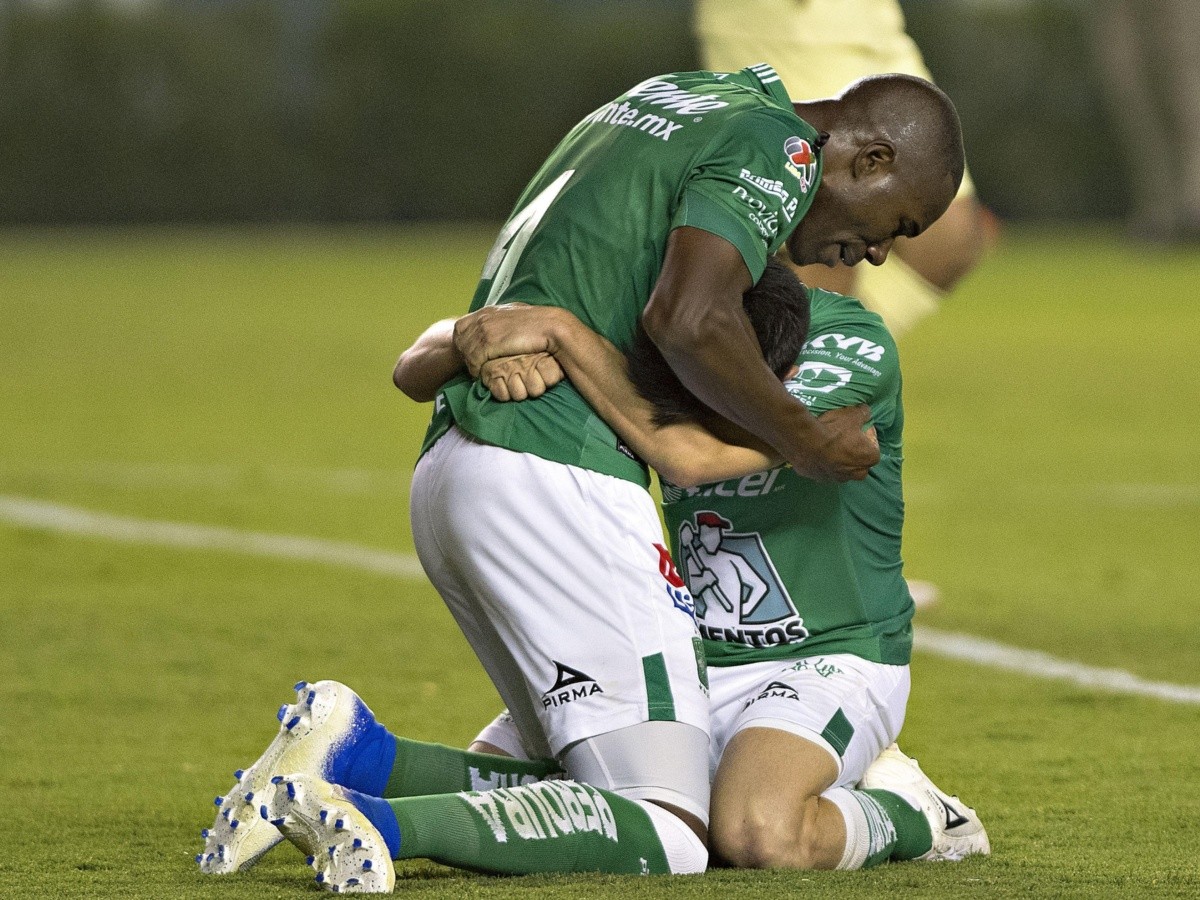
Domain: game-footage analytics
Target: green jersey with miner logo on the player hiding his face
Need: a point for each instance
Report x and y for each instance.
(783, 567)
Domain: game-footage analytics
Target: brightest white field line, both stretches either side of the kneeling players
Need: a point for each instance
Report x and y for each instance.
(73, 520)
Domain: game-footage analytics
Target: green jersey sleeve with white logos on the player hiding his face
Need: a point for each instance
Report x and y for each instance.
(850, 363)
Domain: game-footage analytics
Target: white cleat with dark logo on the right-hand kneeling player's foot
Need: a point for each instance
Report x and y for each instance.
(956, 827)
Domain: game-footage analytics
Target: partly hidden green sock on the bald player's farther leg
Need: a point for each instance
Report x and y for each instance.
(424, 769)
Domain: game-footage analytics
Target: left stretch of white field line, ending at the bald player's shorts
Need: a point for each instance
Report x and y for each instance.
(73, 520)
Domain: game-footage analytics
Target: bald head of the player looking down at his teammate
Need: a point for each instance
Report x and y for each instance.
(891, 167)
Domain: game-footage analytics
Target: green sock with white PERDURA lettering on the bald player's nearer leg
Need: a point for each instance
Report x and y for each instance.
(548, 827)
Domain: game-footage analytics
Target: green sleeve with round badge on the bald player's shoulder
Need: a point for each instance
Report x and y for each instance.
(747, 188)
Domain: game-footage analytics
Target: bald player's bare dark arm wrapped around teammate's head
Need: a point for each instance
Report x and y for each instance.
(695, 319)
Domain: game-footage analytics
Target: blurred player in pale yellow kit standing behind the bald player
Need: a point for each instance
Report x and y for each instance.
(819, 47)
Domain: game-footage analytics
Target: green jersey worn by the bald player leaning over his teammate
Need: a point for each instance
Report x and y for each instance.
(722, 153)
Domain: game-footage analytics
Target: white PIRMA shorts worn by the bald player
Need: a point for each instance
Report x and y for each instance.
(560, 580)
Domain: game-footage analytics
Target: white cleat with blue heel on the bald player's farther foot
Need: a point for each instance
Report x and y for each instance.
(328, 733)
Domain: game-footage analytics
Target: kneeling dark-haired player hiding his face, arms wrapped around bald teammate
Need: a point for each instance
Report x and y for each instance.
(800, 597)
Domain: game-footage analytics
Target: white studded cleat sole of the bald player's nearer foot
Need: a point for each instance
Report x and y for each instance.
(346, 851)
